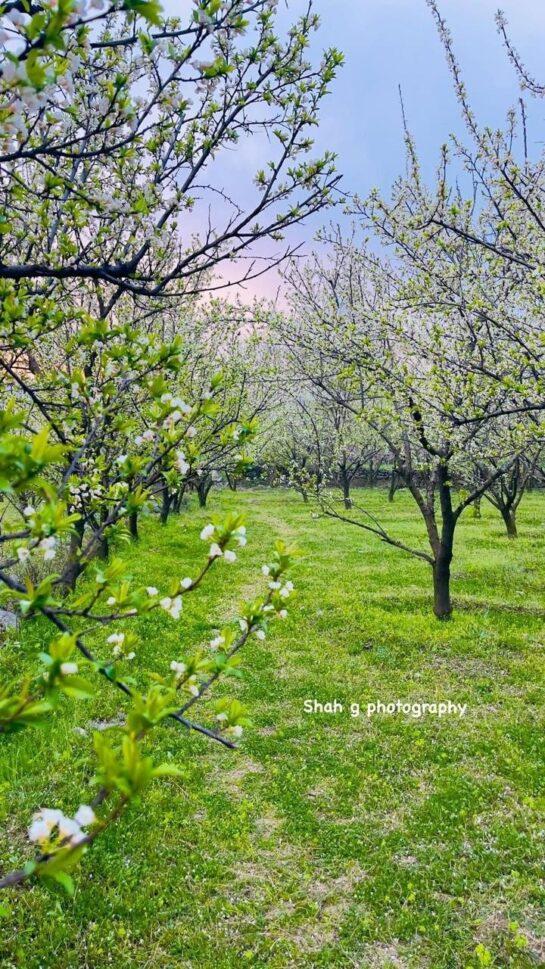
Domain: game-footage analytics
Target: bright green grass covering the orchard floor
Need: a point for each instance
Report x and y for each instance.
(326, 840)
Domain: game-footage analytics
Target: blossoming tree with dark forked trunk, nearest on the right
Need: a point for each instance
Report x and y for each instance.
(411, 379)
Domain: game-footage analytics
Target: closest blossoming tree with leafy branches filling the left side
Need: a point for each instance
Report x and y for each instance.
(112, 117)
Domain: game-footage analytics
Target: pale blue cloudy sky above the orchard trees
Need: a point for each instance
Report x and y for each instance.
(392, 43)
